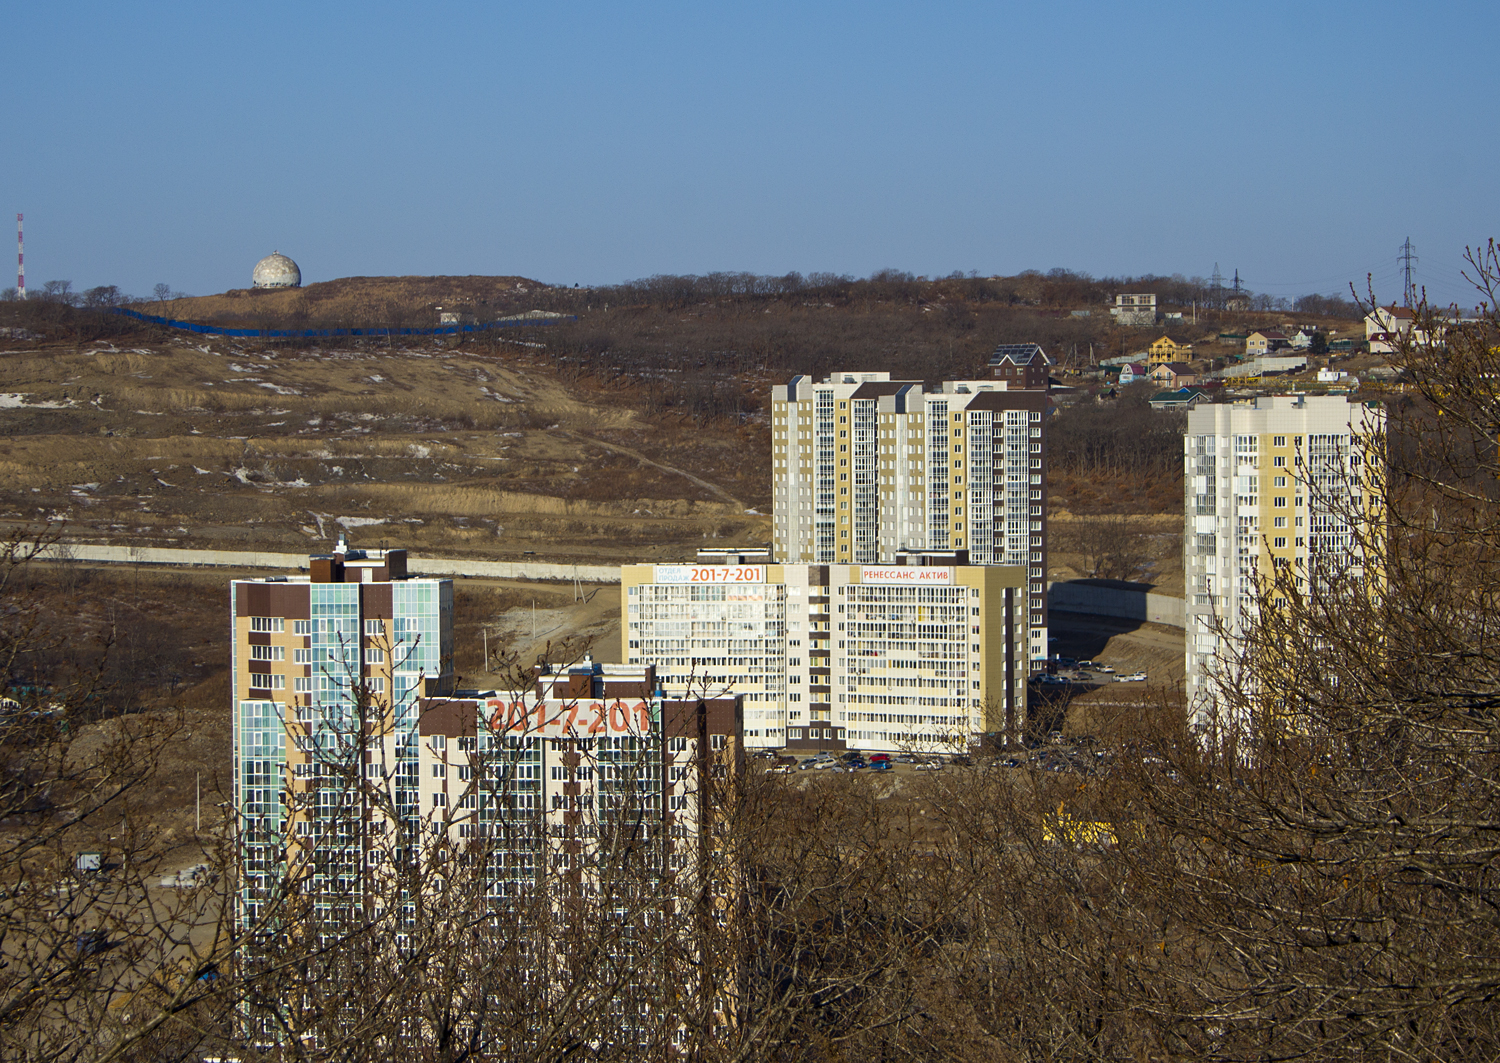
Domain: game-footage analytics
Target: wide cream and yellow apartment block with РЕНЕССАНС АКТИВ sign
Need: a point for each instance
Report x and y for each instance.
(878, 657)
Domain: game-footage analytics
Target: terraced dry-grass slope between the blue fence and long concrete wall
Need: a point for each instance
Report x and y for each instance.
(485, 452)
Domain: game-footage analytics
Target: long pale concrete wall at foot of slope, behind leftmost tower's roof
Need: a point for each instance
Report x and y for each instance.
(167, 555)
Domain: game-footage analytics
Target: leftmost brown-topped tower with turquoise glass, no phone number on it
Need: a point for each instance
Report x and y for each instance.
(320, 663)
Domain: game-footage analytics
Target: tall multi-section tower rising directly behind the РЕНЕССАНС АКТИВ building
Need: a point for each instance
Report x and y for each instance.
(866, 469)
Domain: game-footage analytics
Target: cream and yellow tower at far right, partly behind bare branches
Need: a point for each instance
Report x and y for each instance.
(1273, 487)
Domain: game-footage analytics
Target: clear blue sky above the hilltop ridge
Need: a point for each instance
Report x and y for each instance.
(593, 143)
